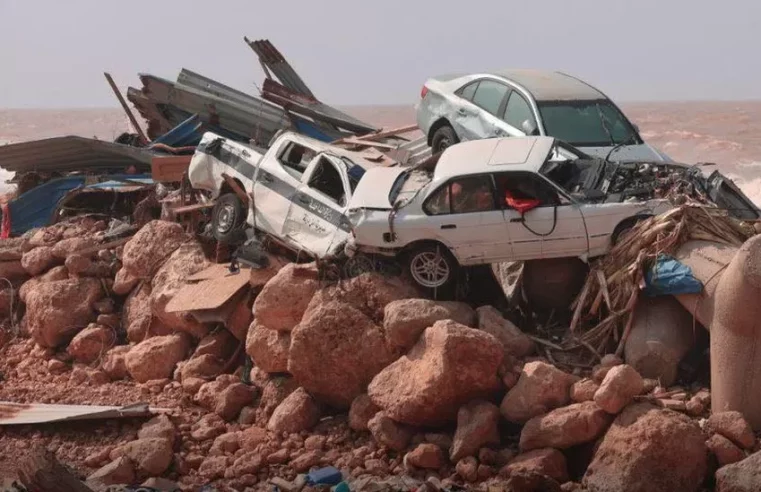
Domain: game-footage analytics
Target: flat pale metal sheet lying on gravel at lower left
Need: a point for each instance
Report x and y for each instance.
(38, 413)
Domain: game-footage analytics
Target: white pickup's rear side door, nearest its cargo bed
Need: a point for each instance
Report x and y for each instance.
(277, 182)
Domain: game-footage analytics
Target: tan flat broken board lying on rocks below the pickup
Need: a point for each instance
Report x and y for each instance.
(211, 293)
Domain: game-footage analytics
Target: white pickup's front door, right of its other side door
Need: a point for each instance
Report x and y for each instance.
(316, 219)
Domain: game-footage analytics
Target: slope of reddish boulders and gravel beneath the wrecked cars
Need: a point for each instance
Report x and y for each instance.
(392, 390)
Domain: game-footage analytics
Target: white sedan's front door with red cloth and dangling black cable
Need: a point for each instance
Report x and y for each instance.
(554, 228)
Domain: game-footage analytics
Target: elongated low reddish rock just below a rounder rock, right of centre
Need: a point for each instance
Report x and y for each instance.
(565, 427)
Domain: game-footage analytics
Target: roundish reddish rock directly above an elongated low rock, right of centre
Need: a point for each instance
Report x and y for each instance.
(540, 388)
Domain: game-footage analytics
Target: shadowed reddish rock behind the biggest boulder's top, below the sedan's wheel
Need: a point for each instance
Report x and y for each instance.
(369, 292)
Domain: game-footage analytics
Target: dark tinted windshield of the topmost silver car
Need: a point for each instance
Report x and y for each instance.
(587, 123)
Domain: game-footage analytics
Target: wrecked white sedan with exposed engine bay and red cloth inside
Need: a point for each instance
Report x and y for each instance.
(493, 200)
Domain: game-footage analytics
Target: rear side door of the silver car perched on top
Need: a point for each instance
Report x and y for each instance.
(476, 116)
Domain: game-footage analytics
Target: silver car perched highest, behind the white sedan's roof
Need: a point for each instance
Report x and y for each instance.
(508, 103)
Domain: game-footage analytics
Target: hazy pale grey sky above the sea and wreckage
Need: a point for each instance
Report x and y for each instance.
(53, 53)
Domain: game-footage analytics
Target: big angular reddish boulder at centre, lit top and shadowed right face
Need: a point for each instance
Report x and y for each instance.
(449, 366)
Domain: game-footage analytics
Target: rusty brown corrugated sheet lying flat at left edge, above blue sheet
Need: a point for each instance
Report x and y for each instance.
(65, 154)
